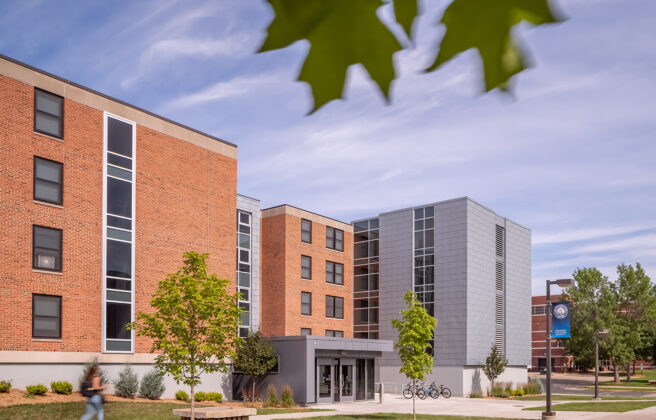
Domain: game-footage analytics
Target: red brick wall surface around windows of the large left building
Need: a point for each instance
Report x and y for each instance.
(185, 200)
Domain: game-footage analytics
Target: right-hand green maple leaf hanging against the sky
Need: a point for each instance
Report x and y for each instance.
(486, 25)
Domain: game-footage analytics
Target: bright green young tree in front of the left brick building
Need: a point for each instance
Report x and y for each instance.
(194, 325)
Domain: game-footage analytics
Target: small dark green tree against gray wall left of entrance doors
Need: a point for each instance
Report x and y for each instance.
(256, 357)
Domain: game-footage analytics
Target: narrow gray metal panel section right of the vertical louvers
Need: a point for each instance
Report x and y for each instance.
(518, 294)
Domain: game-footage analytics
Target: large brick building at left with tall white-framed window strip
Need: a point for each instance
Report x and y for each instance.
(98, 201)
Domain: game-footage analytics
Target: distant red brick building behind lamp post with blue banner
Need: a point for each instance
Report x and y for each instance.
(560, 360)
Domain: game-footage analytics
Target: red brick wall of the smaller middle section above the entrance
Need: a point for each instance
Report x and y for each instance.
(282, 284)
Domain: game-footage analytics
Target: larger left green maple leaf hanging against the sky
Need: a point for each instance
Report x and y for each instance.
(341, 33)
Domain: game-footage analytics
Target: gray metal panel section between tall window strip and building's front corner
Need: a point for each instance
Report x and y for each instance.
(451, 283)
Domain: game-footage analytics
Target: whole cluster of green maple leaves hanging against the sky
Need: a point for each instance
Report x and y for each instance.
(342, 33)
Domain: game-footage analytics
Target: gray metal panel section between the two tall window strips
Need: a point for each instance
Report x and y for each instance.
(395, 273)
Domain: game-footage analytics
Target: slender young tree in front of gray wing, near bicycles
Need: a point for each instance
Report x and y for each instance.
(416, 328)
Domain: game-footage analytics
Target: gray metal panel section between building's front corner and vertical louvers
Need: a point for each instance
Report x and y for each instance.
(481, 275)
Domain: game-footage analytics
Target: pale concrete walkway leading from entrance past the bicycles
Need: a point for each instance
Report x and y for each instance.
(457, 406)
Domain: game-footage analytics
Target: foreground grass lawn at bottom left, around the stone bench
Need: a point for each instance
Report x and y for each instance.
(113, 410)
